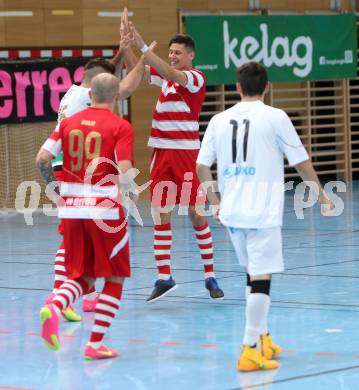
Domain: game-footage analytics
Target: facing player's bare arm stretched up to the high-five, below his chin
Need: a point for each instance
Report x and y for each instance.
(163, 68)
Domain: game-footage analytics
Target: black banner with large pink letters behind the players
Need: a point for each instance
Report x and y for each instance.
(31, 91)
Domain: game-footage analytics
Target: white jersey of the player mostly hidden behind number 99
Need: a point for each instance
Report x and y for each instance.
(76, 99)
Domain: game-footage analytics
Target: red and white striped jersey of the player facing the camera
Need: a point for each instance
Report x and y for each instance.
(175, 120)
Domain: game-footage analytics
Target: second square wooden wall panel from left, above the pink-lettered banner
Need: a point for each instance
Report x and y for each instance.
(63, 30)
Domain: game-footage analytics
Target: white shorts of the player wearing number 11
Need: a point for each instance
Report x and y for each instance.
(259, 250)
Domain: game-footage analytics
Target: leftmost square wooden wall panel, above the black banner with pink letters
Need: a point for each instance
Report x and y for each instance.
(25, 31)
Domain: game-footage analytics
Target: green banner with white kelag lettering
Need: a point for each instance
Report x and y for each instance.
(290, 47)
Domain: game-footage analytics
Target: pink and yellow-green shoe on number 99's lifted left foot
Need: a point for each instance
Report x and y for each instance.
(50, 327)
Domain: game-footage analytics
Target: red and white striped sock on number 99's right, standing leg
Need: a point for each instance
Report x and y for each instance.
(106, 309)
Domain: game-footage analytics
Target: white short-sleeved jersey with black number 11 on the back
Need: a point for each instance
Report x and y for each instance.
(249, 141)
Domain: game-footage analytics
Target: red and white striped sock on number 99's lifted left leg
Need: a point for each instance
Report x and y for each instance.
(68, 293)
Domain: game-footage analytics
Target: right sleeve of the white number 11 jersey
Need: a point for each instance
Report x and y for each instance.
(289, 141)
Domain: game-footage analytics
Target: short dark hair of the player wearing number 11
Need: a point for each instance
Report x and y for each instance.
(252, 78)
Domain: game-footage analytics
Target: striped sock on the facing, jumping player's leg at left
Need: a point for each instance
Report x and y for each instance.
(162, 249)
